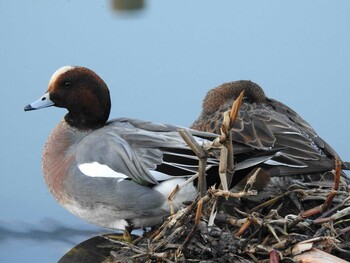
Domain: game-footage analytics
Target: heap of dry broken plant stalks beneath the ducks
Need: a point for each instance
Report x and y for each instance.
(273, 232)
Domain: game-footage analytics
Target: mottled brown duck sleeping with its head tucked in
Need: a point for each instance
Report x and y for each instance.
(276, 138)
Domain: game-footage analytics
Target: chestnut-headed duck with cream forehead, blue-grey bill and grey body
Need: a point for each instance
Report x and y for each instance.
(115, 173)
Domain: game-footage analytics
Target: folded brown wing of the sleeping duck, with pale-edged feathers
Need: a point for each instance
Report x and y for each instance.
(281, 139)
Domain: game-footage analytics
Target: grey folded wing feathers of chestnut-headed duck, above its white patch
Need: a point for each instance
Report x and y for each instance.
(134, 147)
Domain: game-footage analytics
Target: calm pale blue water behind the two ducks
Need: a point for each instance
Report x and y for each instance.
(158, 63)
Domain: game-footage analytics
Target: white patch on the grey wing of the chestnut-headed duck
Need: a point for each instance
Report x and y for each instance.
(96, 169)
